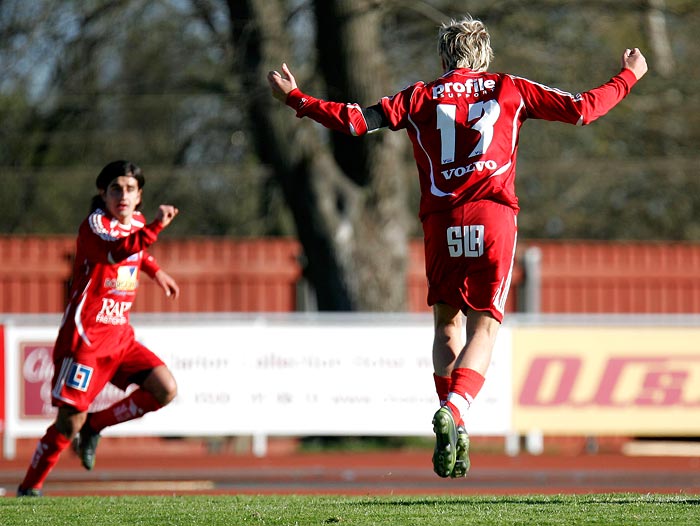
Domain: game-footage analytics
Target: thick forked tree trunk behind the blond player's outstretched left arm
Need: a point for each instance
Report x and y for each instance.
(347, 198)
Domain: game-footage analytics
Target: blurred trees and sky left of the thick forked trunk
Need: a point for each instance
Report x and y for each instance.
(148, 81)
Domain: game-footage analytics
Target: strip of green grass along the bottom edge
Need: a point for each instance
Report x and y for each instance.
(608, 509)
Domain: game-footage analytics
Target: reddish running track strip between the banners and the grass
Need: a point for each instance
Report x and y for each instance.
(156, 467)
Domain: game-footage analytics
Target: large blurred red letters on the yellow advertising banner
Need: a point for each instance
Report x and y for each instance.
(651, 382)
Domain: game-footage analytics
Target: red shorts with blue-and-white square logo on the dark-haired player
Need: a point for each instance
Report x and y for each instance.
(79, 375)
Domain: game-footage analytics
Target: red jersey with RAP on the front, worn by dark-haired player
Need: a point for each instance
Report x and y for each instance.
(108, 260)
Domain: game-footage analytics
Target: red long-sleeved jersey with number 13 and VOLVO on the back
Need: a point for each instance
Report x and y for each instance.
(464, 128)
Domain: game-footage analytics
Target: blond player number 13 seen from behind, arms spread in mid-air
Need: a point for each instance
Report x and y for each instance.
(464, 128)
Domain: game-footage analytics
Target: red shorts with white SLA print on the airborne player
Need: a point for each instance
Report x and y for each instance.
(469, 253)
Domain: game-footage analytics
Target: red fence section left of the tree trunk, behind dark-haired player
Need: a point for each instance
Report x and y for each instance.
(214, 275)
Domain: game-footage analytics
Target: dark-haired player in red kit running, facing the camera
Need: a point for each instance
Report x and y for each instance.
(95, 342)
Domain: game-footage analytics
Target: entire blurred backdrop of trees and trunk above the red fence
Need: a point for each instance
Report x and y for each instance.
(179, 87)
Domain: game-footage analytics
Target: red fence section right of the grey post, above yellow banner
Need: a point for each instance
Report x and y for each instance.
(595, 277)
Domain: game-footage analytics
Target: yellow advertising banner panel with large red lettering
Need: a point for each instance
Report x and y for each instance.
(642, 381)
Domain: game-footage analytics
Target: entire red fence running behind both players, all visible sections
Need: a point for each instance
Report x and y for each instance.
(262, 275)
